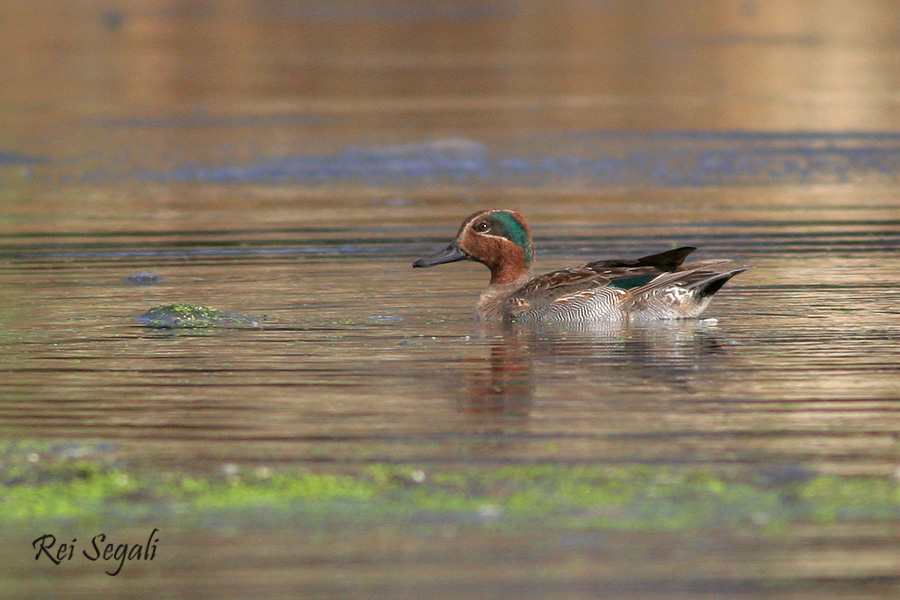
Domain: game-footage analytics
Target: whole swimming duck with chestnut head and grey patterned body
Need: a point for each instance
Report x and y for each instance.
(658, 286)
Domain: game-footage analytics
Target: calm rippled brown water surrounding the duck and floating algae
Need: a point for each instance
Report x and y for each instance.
(291, 160)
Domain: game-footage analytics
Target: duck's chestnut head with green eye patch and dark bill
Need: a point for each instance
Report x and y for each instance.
(499, 239)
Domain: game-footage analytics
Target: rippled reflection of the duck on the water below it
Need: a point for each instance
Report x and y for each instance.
(500, 391)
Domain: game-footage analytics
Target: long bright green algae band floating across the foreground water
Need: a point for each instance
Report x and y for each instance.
(82, 482)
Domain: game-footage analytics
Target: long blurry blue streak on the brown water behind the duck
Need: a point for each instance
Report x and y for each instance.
(666, 158)
